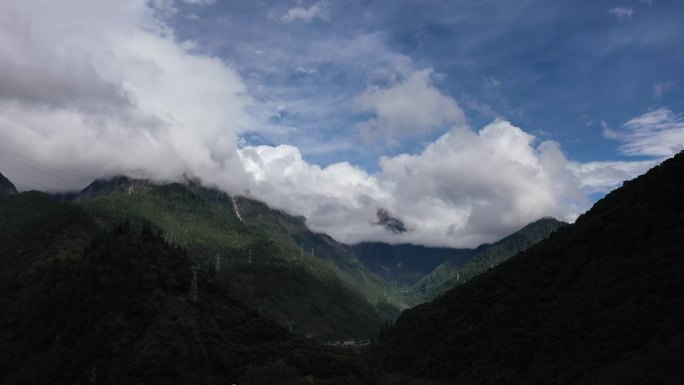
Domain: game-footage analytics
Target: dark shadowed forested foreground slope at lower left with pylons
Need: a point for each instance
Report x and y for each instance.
(119, 311)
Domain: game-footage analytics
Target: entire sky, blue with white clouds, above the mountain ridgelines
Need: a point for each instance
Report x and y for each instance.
(442, 123)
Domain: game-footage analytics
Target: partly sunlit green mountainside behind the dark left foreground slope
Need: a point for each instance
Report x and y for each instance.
(329, 294)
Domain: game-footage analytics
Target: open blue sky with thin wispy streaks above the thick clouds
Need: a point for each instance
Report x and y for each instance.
(557, 69)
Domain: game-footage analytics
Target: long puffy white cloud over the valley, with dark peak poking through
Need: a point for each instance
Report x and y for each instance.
(462, 190)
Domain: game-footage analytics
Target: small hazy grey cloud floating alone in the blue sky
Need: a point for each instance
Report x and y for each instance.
(412, 106)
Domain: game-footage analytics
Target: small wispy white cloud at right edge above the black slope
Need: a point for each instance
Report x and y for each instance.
(658, 133)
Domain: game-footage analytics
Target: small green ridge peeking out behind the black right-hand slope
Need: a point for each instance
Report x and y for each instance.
(451, 273)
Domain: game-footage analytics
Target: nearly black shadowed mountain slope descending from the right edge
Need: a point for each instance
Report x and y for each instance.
(599, 301)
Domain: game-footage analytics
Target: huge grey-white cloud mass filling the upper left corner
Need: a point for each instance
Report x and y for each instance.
(105, 88)
